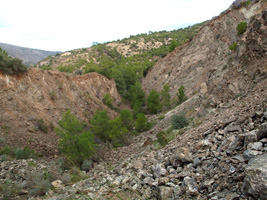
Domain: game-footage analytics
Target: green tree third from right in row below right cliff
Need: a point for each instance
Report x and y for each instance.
(153, 102)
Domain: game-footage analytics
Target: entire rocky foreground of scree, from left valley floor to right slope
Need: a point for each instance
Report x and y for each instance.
(223, 158)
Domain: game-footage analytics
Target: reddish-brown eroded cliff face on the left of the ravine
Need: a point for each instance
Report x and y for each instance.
(37, 100)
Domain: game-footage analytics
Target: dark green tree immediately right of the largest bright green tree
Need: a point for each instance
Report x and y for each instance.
(100, 125)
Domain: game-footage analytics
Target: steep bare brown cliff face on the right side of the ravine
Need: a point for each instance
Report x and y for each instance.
(207, 66)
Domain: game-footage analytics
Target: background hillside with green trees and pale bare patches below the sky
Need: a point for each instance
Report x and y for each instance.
(126, 60)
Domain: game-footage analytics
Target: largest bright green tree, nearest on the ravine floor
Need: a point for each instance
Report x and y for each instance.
(75, 142)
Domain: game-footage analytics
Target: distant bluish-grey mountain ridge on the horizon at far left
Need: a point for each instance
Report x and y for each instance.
(28, 55)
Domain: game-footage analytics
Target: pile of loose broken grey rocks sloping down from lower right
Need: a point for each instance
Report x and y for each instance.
(228, 161)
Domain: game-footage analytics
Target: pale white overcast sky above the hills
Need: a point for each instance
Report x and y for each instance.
(62, 25)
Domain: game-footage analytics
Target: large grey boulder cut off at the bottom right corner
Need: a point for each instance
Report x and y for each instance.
(255, 183)
